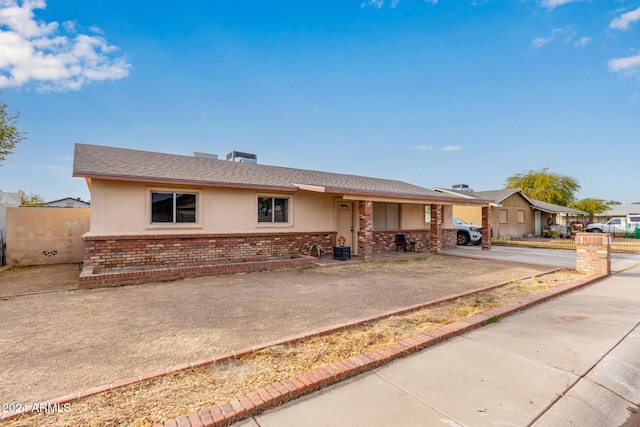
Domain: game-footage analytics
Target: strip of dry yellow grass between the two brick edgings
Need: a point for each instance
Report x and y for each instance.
(192, 390)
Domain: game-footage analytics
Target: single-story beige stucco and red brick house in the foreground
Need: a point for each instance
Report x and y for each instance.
(161, 210)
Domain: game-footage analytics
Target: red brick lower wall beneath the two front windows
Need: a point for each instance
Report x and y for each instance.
(113, 253)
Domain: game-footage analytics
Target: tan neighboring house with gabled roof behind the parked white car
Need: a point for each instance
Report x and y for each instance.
(513, 214)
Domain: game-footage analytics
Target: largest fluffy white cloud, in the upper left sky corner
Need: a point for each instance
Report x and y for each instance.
(32, 51)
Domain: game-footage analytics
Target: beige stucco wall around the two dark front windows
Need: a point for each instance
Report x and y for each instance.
(120, 208)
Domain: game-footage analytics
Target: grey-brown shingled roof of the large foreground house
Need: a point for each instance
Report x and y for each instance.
(100, 162)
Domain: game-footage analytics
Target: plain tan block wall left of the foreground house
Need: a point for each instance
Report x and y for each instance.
(38, 235)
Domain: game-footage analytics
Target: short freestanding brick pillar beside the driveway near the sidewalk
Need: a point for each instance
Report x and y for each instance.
(593, 253)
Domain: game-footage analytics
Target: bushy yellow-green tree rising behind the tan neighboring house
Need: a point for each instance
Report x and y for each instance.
(545, 186)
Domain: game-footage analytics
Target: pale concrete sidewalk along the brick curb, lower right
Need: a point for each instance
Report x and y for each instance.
(574, 360)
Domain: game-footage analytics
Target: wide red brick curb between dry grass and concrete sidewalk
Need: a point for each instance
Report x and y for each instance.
(272, 395)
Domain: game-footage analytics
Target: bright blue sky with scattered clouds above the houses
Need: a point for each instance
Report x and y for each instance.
(435, 93)
